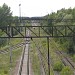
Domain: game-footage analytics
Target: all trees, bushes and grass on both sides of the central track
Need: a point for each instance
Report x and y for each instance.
(66, 45)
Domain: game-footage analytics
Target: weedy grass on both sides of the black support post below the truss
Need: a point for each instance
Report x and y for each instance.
(43, 47)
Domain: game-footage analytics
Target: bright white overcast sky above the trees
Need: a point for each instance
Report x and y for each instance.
(31, 8)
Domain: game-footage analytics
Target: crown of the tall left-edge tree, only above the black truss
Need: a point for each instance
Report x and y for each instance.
(5, 15)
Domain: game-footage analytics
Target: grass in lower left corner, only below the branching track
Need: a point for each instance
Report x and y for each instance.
(5, 61)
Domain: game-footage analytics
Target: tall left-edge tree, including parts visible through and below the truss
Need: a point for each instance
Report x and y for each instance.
(5, 20)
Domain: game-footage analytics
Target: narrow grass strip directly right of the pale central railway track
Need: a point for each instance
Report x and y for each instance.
(35, 60)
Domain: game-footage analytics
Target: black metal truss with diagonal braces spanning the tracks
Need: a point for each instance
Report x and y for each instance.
(38, 31)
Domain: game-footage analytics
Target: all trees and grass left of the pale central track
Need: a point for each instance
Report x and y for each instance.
(6, 19)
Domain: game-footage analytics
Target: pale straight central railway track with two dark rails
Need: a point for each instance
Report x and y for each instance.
(25, 64)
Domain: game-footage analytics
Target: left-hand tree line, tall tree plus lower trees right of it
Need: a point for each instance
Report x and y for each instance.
(6, 19)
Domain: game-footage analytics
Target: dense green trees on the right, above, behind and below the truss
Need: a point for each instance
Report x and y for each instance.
(61, 16)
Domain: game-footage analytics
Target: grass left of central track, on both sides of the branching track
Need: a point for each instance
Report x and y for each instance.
(5, 58)
